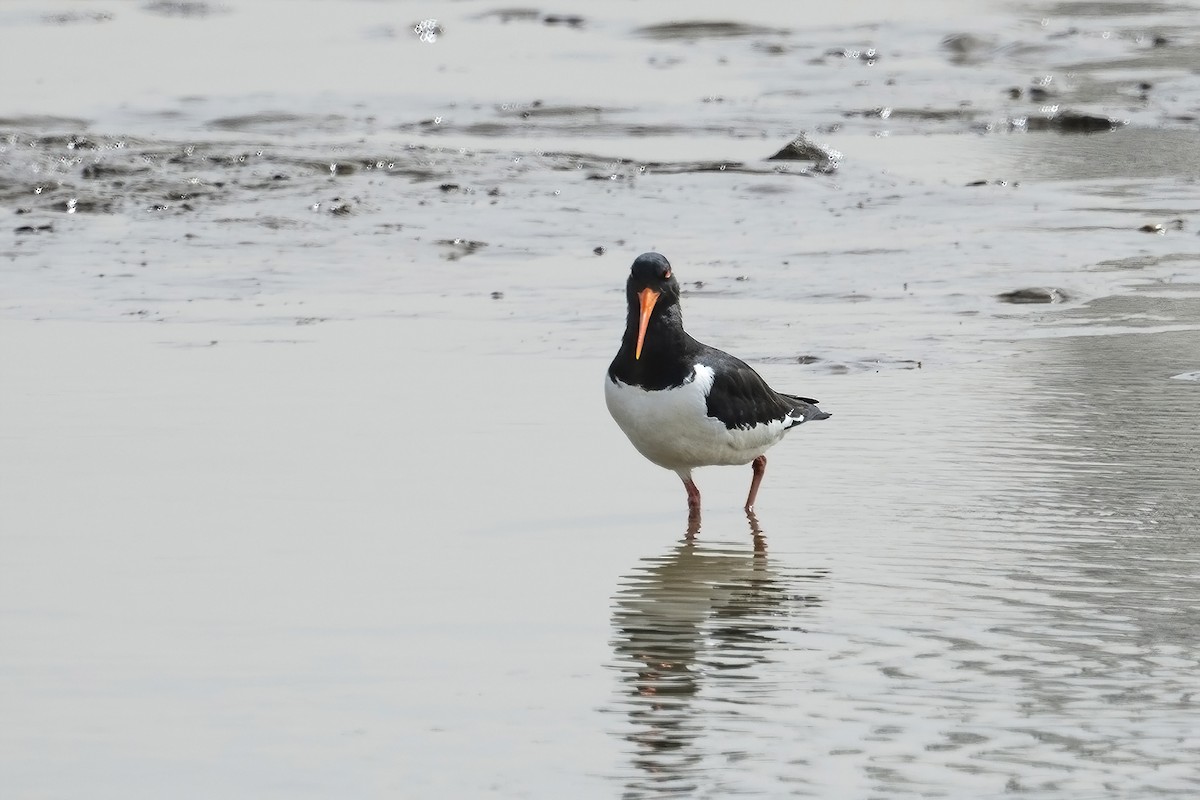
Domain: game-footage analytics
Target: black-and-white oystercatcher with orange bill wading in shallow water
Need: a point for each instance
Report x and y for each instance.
(685, 405)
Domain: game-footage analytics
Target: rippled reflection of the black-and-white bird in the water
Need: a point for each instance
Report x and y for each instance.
(704, 616)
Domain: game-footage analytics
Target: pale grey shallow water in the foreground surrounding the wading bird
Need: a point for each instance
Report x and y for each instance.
(981, 580)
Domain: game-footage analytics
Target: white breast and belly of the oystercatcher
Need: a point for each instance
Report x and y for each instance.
(673, 429)
